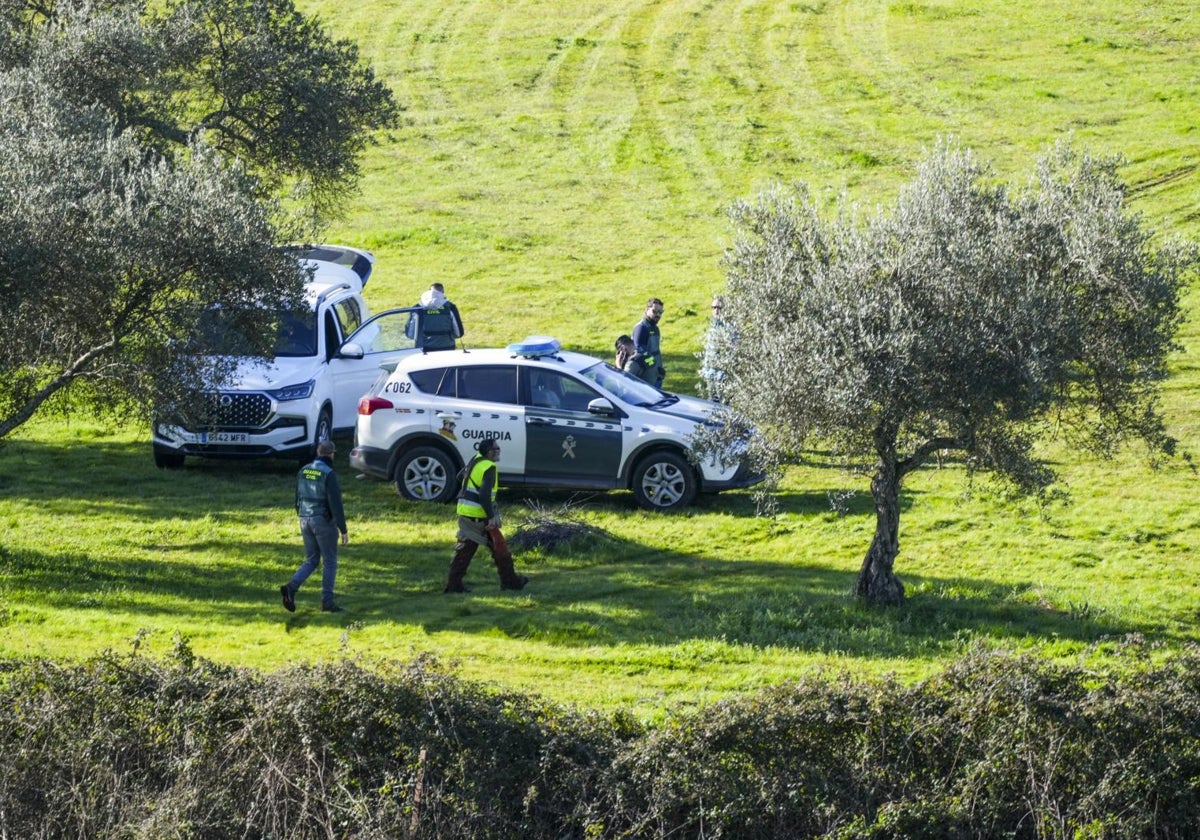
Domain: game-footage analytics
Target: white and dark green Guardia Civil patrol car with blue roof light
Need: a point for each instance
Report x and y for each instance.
(563, 421)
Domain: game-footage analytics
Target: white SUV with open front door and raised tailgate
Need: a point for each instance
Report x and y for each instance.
(311, 388)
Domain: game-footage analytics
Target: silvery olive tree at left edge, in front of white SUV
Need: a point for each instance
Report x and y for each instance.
(111, 254)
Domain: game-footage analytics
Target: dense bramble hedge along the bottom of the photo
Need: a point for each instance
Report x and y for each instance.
(998, 746)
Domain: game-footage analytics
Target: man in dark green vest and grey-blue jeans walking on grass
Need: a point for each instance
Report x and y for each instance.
(322, 519)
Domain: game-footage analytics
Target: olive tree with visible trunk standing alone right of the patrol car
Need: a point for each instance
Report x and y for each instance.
(967, 317)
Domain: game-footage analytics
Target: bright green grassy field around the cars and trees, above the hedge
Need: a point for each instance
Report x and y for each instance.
(557, 165)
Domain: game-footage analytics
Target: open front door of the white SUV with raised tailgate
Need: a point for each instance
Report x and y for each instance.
(357, 364)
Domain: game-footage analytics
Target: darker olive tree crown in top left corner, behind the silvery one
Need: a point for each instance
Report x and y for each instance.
(261, 81)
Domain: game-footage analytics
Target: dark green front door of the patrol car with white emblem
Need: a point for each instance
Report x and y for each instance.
(565, 442)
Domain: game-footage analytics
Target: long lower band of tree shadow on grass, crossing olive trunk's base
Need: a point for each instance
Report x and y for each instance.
(640, 597)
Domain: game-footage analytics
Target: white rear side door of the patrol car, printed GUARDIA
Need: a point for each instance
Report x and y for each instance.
(485, 405)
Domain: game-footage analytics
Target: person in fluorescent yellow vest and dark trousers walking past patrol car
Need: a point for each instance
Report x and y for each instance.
(479, 521)
